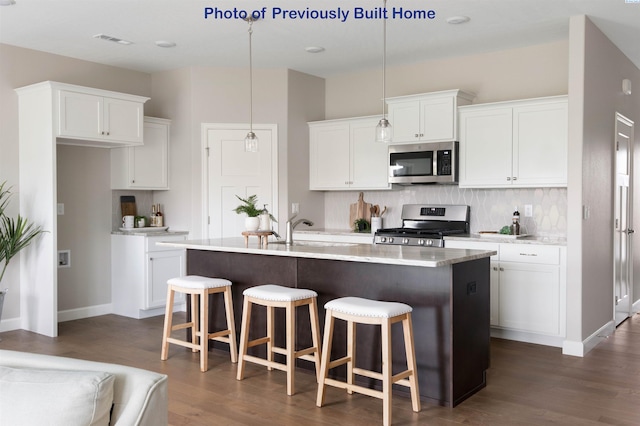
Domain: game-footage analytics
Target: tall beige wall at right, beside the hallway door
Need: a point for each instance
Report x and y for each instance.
(597, 69)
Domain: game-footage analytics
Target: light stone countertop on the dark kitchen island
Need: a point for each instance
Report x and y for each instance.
(369, 253)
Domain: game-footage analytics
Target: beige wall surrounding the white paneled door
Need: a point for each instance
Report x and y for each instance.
(193, 96)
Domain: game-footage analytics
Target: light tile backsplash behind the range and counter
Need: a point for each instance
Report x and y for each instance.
(491, 209)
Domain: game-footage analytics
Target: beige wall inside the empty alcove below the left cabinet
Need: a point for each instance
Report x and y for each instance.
(83, 186)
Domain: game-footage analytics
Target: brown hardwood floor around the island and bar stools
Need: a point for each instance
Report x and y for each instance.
(527, 384)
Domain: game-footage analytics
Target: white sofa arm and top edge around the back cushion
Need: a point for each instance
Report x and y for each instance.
(140, 397)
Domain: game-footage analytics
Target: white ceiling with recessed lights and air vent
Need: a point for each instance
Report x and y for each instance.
(67, 27)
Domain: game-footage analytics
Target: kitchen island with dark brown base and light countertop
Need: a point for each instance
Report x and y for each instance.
(447, 288)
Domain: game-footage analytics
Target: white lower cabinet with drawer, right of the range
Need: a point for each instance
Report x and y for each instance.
(528, 284)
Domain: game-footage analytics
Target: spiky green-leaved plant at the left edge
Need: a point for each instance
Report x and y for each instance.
(15, 234)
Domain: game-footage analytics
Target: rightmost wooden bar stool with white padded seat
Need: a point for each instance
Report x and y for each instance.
(355, 310)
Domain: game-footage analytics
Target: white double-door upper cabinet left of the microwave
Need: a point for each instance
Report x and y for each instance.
(343, 155)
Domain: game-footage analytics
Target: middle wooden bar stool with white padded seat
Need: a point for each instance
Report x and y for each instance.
(275, 296)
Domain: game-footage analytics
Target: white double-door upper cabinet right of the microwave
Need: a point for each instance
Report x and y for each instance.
(514, 144)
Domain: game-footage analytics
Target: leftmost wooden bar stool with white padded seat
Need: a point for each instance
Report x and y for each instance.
(195, 286)
